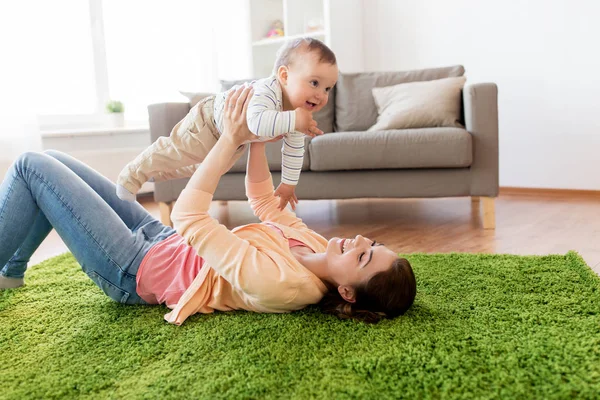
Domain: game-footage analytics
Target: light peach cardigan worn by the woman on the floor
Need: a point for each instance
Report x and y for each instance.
(250, 267)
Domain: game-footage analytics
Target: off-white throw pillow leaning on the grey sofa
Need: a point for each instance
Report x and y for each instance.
(419, 104)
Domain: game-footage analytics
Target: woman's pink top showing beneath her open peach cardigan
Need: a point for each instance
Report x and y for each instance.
(169, 268)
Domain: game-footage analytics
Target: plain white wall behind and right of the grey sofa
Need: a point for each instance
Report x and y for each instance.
(544, 57)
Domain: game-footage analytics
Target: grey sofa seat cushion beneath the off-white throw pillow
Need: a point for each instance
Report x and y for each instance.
(392, 149)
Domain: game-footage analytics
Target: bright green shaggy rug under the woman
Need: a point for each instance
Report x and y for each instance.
(483, 326)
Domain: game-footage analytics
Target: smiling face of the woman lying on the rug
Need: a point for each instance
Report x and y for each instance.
(354, 261)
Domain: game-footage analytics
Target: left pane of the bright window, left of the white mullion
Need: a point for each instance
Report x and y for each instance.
(61, 38)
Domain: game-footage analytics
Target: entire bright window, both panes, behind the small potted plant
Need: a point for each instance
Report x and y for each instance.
(138, 52)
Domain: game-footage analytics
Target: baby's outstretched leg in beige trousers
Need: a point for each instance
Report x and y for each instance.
(189, 143)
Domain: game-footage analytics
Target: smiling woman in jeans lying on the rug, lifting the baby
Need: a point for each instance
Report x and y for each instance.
(279, 265)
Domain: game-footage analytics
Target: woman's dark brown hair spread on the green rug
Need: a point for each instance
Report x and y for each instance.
(386, 295)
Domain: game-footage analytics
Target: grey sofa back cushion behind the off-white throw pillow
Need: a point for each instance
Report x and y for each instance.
(355, 108)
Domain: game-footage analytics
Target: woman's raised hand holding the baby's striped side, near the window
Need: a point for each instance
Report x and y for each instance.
(235, 127)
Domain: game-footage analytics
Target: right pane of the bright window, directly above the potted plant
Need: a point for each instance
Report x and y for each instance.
(155, 48)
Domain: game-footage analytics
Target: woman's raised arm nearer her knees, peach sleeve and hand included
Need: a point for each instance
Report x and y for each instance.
(233, 258)
